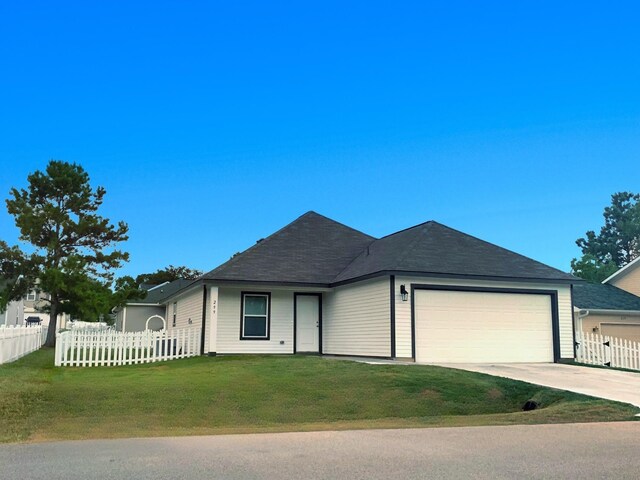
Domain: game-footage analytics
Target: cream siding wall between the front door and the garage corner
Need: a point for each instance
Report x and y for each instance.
(356, 319)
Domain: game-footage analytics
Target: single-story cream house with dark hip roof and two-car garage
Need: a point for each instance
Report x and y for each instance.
(428, 294)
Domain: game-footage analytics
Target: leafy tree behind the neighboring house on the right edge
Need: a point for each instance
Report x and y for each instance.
(618, 242)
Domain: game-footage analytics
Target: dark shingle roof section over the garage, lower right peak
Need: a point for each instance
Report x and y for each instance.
(432, 248)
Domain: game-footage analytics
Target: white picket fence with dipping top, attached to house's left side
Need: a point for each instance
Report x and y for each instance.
(91, 348)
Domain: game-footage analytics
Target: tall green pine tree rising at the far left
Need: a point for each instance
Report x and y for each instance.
(72, 246)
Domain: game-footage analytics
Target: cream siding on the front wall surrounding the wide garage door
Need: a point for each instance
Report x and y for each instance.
(403, 309)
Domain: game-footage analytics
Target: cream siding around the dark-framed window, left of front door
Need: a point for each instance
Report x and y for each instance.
(281, 322)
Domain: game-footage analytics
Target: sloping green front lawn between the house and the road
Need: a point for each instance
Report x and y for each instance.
(236, 394)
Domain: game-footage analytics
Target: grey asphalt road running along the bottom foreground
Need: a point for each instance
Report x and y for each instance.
(580, 451)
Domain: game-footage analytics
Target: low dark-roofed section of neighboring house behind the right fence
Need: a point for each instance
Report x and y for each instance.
(607, 310)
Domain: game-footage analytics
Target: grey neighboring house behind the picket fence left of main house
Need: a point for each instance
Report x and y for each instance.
(149, 313)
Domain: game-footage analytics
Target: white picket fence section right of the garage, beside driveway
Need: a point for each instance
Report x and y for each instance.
(595, 349)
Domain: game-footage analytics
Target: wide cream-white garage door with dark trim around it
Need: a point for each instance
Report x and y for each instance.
(481, 327)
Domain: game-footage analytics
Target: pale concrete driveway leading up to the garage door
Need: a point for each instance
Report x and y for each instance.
(597, 382)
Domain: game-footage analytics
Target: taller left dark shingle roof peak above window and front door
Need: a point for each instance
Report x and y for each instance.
(312, 249)
